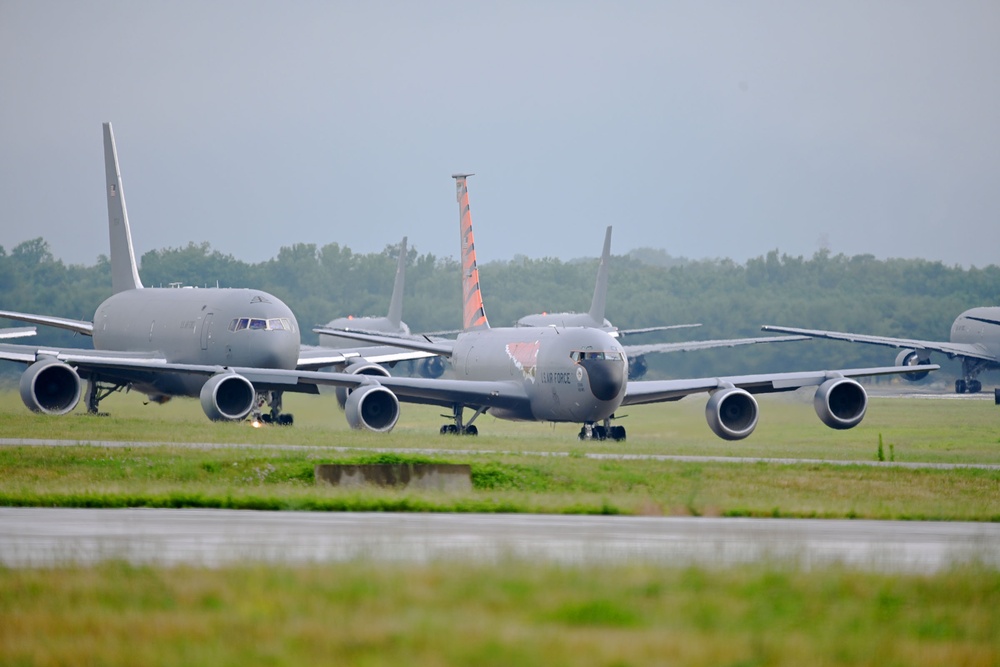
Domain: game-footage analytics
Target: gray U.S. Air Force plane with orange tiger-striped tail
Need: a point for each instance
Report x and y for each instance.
(569, 374)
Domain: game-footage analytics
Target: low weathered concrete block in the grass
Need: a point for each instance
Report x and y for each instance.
(424, 476)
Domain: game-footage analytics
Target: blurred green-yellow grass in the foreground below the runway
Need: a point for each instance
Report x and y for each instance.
(511, 613)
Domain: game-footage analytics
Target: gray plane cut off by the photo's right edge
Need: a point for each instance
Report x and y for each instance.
(975, 339)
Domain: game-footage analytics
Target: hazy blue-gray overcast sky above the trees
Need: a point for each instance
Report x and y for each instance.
(708, 129)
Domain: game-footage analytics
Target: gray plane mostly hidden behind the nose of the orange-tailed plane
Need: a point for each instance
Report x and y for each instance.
(595, 318)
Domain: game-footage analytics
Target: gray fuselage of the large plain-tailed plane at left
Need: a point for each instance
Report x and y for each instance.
(212, 326)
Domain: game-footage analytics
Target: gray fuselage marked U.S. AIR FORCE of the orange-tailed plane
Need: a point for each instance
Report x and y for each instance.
(570, 375)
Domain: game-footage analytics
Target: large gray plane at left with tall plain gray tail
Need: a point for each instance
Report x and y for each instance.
(164, 342)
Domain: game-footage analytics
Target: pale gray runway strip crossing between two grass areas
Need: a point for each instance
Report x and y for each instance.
(45, 536)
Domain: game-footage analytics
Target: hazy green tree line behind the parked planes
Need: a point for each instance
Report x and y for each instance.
(910, 298)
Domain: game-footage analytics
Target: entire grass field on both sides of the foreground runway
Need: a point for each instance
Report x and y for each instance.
(448, 613)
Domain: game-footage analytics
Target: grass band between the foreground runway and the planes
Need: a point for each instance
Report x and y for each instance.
(257, 477)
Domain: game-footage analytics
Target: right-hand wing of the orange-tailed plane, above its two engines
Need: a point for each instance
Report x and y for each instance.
(655, 391)
